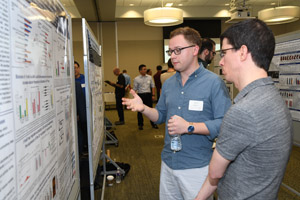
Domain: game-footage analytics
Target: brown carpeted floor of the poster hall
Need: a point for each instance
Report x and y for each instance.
(142, 148)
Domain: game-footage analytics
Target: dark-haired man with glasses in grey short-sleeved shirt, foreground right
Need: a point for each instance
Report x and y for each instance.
(255, 140)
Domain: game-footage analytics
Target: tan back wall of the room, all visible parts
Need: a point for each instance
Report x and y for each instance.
(136, 44)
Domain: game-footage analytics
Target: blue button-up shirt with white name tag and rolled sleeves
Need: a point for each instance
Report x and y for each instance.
(202, 87)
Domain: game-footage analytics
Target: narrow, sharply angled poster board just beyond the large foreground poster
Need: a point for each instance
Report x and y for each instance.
(94, 99)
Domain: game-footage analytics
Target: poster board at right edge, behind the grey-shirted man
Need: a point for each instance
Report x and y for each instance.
(286, 64)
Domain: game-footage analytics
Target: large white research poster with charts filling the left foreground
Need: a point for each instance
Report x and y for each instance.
(38, 140)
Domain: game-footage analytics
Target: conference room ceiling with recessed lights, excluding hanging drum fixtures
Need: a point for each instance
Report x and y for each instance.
(117, 10)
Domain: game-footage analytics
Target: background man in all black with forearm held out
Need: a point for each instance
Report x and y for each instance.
(119, 93)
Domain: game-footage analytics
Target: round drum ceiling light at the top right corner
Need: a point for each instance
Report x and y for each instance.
(279, 15)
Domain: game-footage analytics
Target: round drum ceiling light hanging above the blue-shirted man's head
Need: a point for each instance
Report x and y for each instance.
(163, 16)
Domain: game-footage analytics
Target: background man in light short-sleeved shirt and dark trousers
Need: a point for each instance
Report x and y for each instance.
(144, 87)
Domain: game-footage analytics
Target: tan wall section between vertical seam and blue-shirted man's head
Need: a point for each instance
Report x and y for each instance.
(139, 44)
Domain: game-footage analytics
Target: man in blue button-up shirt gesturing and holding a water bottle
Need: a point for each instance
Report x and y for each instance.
(192, 104)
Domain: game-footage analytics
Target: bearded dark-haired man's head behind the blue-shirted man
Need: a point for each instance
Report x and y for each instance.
(207, 51)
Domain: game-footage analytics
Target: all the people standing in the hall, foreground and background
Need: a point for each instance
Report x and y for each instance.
(254, 134)
